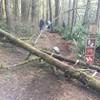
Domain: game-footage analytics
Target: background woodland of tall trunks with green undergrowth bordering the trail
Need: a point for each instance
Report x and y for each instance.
(23, 16)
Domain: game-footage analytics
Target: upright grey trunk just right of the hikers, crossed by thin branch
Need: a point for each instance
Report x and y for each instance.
(57, 10)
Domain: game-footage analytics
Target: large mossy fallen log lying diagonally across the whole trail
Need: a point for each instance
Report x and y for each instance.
(72, 72)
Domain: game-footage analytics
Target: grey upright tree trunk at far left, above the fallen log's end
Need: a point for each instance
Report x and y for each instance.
(8, 16)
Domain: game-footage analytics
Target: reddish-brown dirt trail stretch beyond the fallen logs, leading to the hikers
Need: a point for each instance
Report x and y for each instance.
(49, 40)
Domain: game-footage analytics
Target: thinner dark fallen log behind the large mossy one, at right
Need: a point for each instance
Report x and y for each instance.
(83, 64)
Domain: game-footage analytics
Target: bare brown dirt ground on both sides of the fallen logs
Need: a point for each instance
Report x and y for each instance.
(34, 82)
